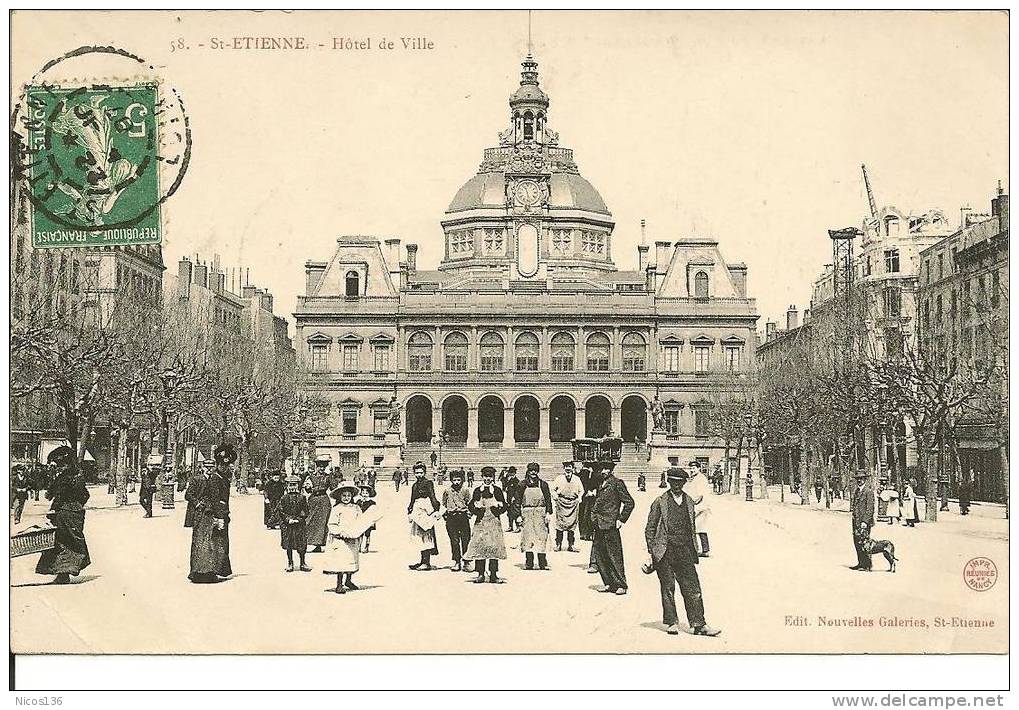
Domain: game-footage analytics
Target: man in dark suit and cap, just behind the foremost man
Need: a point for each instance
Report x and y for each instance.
(613, 507)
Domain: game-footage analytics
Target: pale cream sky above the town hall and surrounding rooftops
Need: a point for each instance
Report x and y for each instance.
(748, 128)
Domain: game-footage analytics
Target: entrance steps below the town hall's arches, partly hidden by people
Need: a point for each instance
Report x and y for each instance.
(551, 460)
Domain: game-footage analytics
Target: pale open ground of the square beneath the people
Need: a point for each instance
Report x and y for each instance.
(771, 564)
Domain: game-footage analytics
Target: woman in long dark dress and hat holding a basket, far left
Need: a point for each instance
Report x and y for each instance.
(71, 556)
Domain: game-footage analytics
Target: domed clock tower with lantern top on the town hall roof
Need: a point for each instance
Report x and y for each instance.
(528, 214)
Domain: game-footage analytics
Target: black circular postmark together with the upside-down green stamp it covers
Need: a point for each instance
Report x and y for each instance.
(100, 141)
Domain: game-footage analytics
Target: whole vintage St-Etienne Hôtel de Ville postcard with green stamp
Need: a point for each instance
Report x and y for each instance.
(509, 333)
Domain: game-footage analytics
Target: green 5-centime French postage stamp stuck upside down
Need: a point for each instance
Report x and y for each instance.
(93, 166)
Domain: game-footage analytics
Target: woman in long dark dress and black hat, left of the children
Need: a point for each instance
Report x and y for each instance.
(210, 556)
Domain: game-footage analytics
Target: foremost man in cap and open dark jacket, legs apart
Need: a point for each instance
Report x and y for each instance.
(670, 533)
